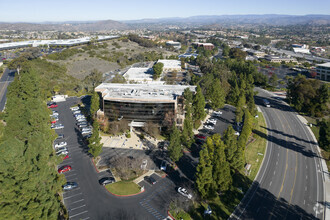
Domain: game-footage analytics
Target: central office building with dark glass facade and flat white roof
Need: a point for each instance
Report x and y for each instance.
(142, 102)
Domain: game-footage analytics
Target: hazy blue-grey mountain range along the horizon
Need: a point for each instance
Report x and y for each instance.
(106, 25)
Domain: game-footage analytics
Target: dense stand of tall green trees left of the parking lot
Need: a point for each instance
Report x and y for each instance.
(29, 184)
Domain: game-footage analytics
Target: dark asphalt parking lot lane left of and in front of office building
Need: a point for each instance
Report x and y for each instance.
(91, 200)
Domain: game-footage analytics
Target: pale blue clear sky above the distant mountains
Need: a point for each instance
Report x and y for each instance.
(89, 10)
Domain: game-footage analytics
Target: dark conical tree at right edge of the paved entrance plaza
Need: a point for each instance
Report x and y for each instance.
(174, 149)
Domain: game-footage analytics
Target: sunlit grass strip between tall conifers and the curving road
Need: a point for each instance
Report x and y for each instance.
(258, 146)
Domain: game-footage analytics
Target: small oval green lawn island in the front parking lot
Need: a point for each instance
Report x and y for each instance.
(123, 188)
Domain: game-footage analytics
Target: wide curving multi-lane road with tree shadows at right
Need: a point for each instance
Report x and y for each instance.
(289, 184)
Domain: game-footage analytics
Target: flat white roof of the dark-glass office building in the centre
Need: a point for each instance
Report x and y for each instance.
(141, 92)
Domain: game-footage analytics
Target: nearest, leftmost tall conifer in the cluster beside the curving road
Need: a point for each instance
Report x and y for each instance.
(204, 180)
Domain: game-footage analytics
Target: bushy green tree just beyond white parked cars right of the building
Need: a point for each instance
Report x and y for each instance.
(216, 95)
